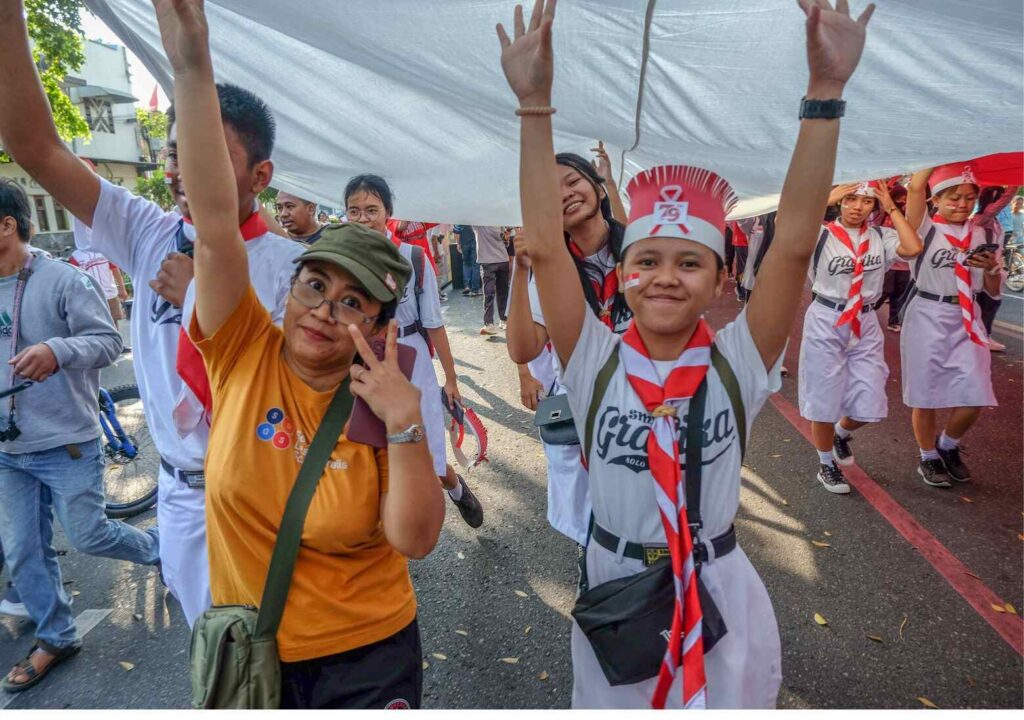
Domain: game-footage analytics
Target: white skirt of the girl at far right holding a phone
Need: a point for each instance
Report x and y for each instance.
(942, 367)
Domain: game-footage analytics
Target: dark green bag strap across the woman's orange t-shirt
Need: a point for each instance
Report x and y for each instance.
(286, 549)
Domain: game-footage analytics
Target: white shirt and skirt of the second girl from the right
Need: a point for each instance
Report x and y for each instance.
(837, 379)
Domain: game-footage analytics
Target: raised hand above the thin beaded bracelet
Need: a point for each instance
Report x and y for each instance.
(528, 60)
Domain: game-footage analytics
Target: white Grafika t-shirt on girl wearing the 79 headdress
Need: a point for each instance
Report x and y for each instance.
(622, 488)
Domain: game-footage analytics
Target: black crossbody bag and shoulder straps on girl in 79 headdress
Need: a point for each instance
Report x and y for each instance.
(627, 620)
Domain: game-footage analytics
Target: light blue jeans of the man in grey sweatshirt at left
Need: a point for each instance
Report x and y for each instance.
(33, 488)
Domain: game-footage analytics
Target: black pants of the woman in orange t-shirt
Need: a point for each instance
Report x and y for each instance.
(385, 675)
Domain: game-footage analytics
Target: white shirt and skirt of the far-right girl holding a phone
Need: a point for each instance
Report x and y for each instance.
(943, 368)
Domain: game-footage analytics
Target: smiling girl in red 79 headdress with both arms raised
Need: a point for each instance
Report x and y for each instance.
(672, 270)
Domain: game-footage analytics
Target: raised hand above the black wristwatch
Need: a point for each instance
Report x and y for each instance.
(835, 43)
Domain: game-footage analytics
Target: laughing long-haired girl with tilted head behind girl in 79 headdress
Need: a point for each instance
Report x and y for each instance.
(594, 238)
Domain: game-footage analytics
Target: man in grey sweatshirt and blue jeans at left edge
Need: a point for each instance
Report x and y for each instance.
(56, 331)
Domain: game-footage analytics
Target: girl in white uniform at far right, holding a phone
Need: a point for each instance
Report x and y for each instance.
(945, 348)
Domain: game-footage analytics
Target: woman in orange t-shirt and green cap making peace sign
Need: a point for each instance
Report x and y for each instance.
(349, 638)
